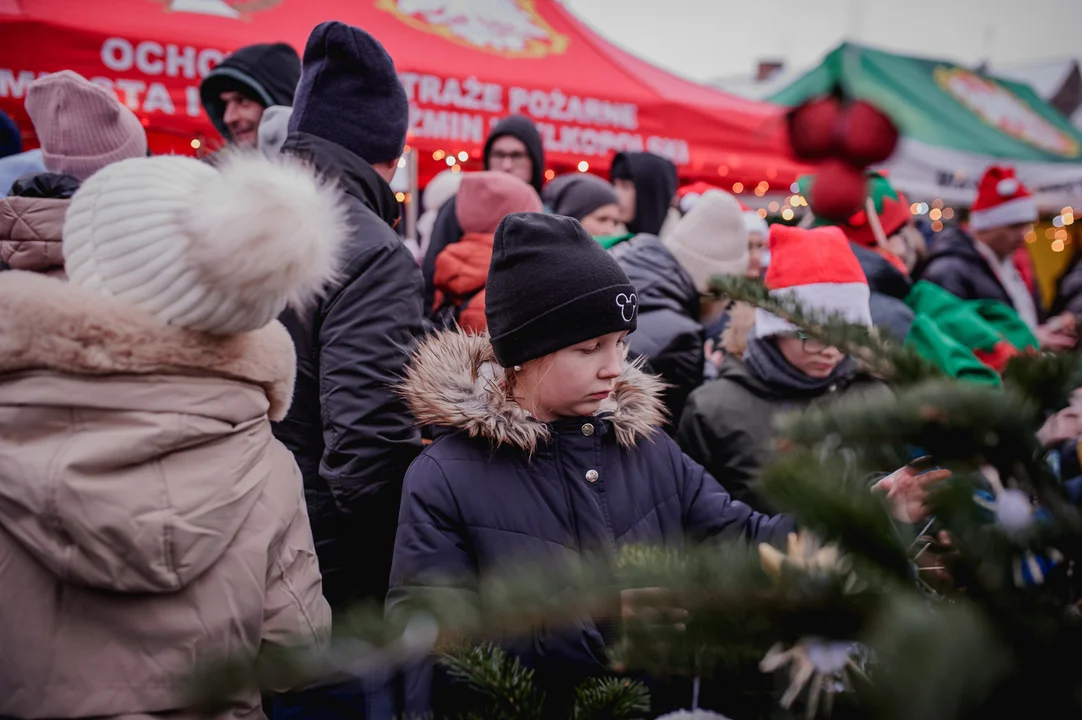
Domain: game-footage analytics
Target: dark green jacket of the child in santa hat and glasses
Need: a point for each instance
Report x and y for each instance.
(729, 424)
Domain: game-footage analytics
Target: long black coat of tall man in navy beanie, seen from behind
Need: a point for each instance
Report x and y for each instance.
(350, 431)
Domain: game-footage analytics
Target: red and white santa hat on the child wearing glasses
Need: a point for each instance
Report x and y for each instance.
(819, 269)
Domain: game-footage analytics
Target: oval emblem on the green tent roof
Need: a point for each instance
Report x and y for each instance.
(1000, 108)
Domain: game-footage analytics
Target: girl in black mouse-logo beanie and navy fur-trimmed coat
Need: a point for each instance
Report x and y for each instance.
(553, 449)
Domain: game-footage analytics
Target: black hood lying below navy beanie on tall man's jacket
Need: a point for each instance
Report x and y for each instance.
(354, 176)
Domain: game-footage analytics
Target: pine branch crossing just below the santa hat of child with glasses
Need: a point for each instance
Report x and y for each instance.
(882, 358)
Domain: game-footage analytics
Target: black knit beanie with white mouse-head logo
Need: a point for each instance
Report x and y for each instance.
(551, 286)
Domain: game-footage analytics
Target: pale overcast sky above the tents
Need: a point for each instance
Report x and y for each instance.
(705, 40)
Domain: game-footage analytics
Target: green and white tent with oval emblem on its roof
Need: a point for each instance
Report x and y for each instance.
(955, 123)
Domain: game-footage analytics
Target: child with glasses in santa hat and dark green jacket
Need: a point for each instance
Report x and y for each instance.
(728, 425)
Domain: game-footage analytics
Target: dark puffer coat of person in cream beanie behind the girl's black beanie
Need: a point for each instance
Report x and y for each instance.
(669, 333)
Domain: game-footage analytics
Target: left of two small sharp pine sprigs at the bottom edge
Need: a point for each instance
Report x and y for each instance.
(507, 687)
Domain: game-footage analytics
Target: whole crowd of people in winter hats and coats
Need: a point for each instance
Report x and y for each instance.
(239, 404)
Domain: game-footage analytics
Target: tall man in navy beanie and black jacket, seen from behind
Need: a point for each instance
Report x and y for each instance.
(351, 435)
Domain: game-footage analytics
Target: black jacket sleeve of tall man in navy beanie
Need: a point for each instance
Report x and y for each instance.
(365, 338)
